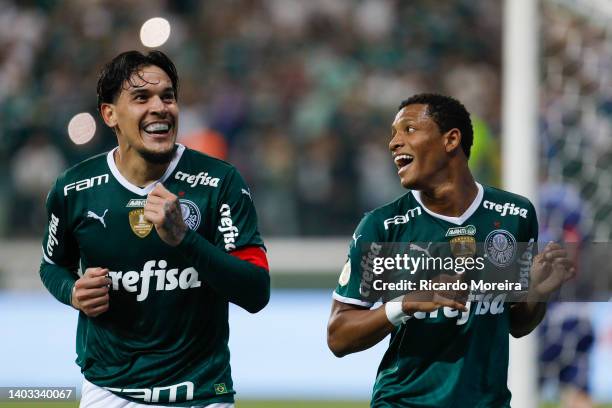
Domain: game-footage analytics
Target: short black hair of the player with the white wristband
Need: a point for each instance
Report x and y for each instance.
(448, 113)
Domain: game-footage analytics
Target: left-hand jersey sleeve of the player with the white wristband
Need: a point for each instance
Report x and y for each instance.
(355, 285)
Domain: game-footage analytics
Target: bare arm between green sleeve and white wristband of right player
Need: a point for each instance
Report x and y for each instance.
(352, 330)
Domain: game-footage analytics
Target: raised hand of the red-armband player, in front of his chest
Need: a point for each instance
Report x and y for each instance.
(164, 211)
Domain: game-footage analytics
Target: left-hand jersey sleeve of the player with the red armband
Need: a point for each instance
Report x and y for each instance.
(60, 250)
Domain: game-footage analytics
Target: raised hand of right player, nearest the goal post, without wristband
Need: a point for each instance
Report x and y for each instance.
(550, 269)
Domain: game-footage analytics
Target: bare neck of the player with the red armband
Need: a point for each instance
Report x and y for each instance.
(135, 168)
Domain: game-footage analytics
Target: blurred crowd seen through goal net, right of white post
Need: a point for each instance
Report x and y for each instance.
(576, 106)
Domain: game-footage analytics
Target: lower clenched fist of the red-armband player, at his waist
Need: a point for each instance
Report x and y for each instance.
(90, 293)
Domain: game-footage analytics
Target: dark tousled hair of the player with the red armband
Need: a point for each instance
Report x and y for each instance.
(121, 68)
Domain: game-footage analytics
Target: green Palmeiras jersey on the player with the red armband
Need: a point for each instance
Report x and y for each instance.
(164, 338)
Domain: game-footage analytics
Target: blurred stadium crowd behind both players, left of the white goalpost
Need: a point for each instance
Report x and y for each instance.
(299, 95)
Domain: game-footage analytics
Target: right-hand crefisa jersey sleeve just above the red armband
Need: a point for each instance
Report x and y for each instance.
(236, 217)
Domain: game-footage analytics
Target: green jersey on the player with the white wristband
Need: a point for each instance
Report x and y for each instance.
(446, 358)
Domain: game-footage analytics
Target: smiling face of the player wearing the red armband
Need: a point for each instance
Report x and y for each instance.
(145, 115)
